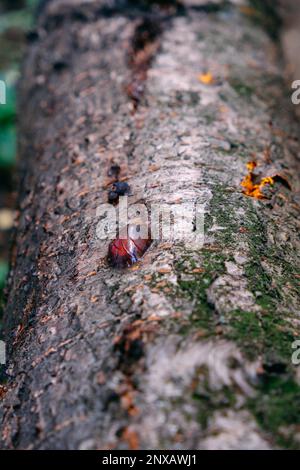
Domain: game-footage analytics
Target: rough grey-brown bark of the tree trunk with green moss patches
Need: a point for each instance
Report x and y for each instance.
(191, 348)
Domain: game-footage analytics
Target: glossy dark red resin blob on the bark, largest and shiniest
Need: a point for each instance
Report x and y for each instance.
(124, 252)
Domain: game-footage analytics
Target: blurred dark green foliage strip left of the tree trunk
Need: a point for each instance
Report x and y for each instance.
(16, 19)
